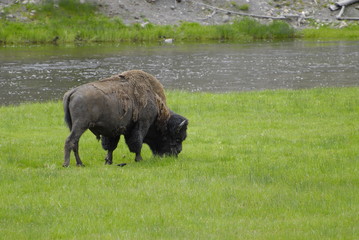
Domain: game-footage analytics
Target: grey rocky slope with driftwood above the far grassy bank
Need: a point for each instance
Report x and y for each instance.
(206, 12)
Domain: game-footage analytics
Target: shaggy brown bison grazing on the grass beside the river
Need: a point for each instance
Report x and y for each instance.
(132, 104)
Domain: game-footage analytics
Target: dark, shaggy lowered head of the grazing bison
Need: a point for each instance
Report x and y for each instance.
(169, 142)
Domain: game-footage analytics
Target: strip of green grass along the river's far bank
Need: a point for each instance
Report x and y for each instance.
(73, 22)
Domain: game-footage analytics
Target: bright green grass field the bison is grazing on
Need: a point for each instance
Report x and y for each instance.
(256, 165)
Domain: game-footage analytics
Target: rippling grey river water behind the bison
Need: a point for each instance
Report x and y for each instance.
(41, 73)
